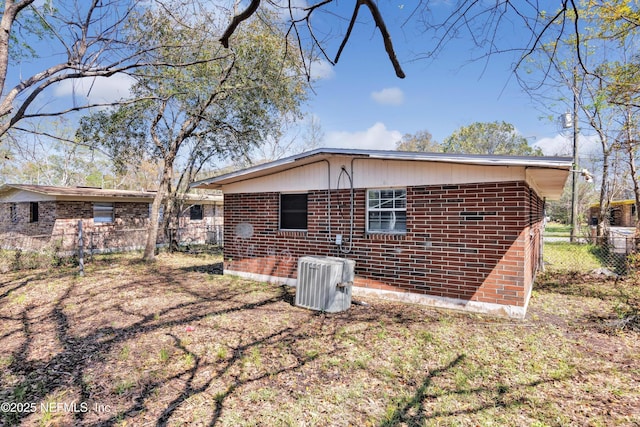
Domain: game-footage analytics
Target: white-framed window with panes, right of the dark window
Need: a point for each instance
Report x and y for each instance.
(387, 210)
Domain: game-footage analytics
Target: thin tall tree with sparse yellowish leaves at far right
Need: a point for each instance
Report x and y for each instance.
(600, 79)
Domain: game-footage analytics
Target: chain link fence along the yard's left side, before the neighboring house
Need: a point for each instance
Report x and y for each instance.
(19, 251)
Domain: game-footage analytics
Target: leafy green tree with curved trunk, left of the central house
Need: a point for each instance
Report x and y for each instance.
(221, 106)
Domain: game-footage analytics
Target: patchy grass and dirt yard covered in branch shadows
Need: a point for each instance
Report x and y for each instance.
(174, 343)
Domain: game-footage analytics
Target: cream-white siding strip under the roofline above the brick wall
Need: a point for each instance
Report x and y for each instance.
(374, 173)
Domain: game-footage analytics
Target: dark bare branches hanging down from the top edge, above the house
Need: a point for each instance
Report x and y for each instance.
(480, 21)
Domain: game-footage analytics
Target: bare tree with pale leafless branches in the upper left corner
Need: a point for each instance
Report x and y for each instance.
(84, 39)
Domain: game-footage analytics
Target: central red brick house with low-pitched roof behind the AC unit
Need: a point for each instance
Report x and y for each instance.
(458, 231)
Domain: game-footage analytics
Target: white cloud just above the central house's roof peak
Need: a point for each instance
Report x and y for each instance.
(377, 137)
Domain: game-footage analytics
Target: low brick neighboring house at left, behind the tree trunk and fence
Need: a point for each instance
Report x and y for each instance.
(37, 216)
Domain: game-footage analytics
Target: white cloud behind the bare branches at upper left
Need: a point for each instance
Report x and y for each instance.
(97, 89)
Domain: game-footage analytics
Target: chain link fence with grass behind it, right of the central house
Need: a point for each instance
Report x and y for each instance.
(610, 255)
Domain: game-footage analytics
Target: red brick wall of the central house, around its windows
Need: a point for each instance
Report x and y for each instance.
(469, 242)
